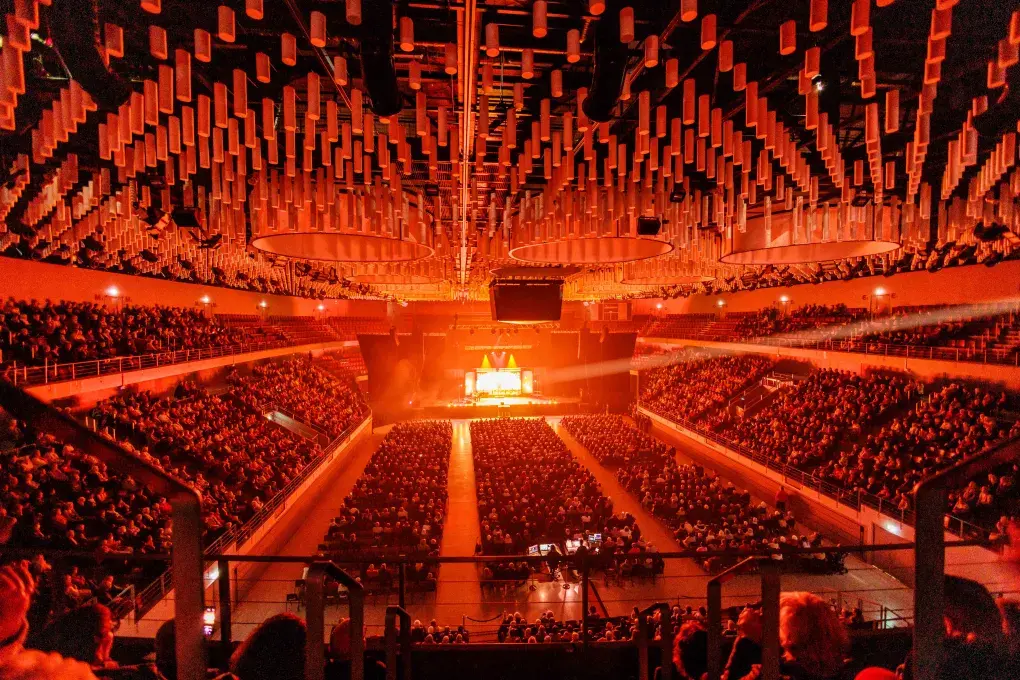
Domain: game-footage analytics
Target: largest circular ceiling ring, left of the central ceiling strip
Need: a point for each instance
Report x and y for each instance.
(335, 247)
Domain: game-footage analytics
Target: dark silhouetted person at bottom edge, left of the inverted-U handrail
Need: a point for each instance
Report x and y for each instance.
(275, 651)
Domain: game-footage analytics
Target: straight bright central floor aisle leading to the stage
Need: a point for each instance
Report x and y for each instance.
(460, 591)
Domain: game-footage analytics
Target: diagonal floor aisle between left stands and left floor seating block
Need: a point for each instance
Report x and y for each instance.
(299, 534)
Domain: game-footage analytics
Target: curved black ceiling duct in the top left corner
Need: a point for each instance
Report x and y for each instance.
(75, 31)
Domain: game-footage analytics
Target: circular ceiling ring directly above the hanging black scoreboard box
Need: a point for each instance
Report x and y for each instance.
(591, 251)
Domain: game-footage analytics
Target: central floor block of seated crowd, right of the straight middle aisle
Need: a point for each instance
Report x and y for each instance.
(532, 491)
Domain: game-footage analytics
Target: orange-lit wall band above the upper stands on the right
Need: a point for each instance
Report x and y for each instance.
(956, 286)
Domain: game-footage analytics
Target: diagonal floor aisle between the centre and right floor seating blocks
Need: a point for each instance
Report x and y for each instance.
(683, 579)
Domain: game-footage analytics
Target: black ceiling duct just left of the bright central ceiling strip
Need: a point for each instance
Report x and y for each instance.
(378, 70)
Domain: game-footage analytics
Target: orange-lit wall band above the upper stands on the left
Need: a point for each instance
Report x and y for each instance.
(24, 280)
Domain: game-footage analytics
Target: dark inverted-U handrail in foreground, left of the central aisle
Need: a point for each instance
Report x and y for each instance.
(316, 619)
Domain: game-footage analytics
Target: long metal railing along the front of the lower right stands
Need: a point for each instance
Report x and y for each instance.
(841, 496)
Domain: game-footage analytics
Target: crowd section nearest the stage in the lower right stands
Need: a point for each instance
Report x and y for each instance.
(697, 384)
